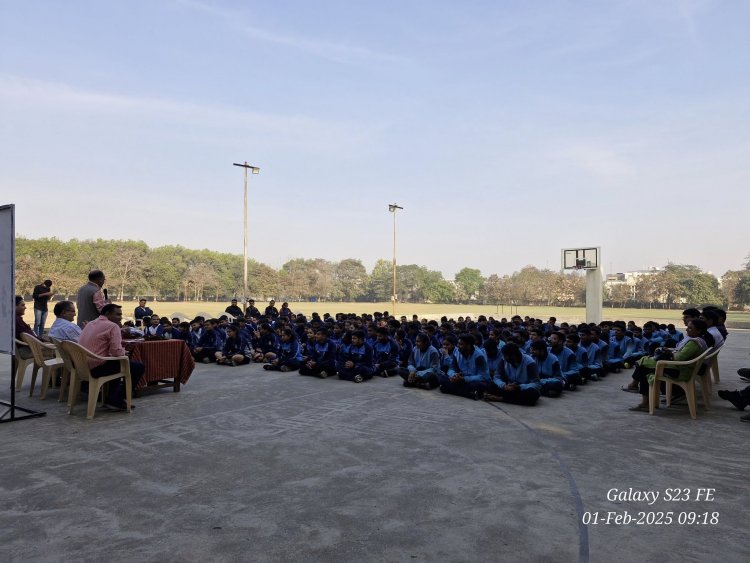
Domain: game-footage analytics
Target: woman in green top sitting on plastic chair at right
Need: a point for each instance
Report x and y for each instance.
(698, 340)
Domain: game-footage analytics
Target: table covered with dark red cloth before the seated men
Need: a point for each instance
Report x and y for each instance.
(164, 360)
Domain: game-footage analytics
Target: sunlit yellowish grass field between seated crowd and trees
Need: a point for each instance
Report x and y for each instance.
(190, 309)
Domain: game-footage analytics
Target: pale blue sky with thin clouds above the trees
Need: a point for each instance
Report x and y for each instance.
(507, 130)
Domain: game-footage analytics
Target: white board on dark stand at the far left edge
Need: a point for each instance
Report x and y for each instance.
(7, 278)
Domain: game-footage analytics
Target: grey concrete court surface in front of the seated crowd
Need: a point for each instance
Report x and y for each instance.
(247, 465)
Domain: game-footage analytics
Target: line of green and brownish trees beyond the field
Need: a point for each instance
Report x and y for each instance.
(175, 273)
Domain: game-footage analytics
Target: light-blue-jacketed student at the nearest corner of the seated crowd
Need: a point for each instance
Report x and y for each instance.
(517, 381)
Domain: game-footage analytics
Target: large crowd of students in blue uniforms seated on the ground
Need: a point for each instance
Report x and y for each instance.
(515, 361)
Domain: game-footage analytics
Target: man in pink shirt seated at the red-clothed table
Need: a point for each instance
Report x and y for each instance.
(103, 337)
